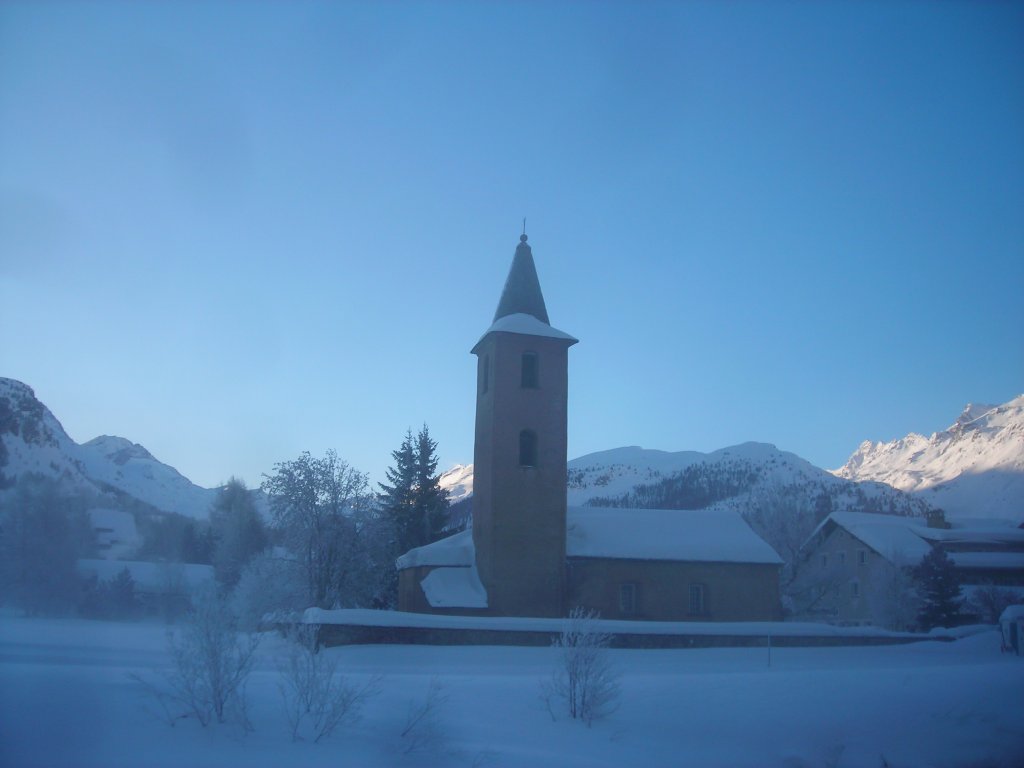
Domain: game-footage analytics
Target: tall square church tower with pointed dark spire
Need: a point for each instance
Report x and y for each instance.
(520, 461)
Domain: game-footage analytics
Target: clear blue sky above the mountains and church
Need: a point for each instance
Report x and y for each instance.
(236, 232)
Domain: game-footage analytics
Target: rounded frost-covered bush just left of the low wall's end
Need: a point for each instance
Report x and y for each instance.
(270, 585)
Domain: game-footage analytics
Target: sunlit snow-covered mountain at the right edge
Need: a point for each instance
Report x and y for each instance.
(973, 470)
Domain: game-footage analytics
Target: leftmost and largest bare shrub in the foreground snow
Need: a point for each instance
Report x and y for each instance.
(211, 662)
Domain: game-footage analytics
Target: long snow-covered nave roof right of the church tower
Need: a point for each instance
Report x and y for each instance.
(702, 536)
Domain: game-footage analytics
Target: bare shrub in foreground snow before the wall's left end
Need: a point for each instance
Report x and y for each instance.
(317, 699)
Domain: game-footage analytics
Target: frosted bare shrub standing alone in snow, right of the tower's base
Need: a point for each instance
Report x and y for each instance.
(584, 684)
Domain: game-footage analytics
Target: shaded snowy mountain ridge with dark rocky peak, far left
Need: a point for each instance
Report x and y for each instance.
(33, 441)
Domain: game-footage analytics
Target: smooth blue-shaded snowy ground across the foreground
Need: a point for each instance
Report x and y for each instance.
(67, 700)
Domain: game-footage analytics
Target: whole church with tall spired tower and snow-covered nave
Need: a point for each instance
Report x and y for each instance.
(527, 553)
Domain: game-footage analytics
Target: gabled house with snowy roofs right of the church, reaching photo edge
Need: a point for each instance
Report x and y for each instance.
(858, 560)
